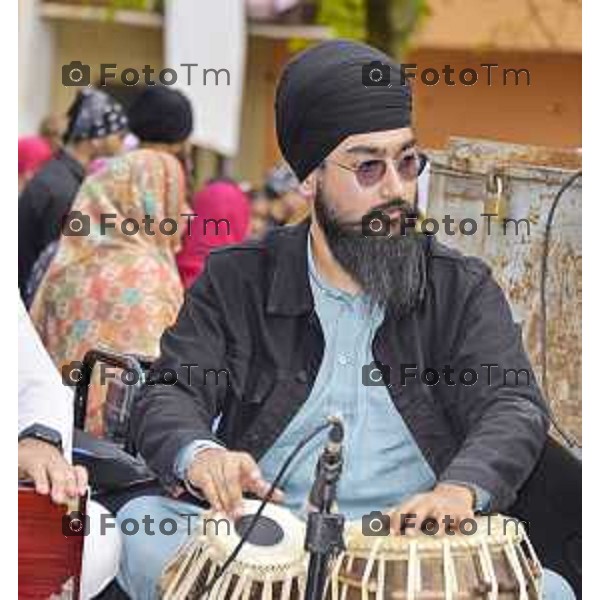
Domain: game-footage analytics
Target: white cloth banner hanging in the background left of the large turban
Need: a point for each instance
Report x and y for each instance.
(213, 36)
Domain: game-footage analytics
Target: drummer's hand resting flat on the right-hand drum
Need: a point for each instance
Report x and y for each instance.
(454, 503)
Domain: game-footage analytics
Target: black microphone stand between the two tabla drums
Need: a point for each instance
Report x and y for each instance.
(324, 530)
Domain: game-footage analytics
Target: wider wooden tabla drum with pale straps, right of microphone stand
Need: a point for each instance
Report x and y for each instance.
(495, 561)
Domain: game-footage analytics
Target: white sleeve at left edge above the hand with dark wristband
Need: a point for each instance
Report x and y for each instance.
(43, 398)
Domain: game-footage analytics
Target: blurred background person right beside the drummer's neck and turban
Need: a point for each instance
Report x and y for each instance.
(289, 206)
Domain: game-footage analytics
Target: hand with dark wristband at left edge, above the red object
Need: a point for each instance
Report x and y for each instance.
(50, 472)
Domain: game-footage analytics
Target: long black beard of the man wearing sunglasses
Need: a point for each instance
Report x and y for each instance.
(392, 271)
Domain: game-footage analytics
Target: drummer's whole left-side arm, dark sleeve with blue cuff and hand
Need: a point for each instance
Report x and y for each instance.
(172, 424)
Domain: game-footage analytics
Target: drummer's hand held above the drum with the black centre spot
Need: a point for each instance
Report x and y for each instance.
(223, 475)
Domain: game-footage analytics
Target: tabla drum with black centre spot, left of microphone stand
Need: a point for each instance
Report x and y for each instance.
(272, 564)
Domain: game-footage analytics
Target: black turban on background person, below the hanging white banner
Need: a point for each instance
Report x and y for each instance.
(160, 114)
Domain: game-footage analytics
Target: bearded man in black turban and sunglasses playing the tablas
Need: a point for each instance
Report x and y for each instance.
(323, 319)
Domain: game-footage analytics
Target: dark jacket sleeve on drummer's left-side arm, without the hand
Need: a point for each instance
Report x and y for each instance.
(168, 418)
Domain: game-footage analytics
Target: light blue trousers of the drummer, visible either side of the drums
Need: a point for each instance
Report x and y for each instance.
(146, 552)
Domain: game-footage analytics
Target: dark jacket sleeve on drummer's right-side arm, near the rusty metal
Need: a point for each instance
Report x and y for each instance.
(503, 414)
